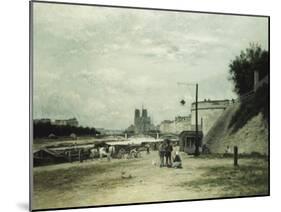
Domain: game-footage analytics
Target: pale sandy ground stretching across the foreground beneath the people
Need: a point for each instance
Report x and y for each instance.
(101, 182)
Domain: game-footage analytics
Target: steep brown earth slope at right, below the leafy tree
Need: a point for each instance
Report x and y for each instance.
(251, 137)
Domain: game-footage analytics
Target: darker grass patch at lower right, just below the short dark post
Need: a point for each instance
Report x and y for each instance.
(244, 180)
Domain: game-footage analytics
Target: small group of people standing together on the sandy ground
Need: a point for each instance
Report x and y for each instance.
(166, 158)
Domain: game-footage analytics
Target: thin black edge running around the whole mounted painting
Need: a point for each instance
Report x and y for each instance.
(31, 103)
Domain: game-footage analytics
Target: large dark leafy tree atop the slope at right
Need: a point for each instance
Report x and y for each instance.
(242, 68)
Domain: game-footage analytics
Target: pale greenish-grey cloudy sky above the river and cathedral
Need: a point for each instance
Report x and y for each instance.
(99, 64)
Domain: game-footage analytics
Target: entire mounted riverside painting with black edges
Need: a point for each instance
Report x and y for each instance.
(137, 105)
